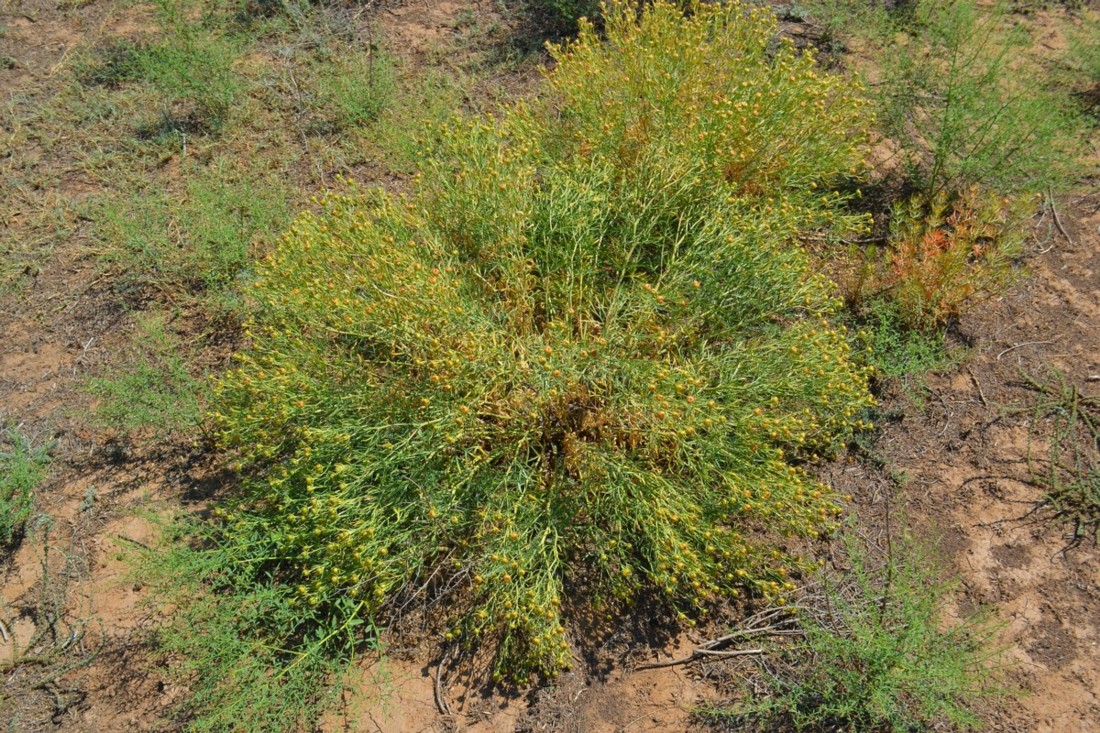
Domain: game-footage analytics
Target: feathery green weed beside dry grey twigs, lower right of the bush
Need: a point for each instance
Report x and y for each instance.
(877, 654)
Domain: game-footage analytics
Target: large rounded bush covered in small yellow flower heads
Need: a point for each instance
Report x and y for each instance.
(581, 362)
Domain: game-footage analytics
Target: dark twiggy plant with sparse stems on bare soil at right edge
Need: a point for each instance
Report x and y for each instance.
(1070, 473)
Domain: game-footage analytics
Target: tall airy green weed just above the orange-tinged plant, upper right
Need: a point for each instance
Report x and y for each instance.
(970, 107)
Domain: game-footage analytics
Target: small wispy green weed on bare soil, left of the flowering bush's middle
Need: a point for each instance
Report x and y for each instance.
(155, 390)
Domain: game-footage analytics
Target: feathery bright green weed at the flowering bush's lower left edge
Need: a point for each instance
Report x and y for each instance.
(251, 657)
